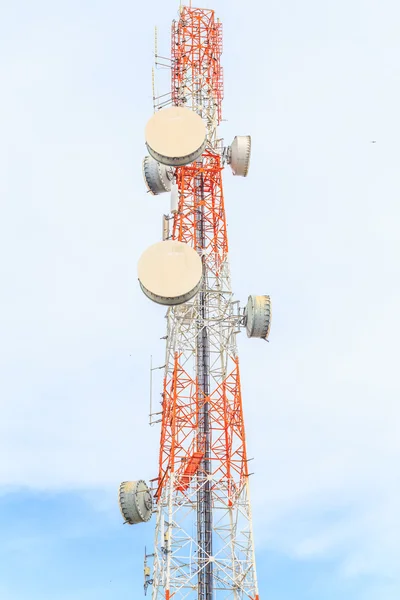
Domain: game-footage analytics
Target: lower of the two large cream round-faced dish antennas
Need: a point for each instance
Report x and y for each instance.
(170, 272)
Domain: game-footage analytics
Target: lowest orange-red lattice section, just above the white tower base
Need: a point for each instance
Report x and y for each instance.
(180, 449)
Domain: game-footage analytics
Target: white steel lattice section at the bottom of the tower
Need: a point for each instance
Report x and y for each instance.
(176, 552)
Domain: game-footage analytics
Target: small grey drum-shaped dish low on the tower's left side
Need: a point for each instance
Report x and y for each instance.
(135, 502)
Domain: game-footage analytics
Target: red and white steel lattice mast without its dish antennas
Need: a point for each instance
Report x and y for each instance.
(203, 539)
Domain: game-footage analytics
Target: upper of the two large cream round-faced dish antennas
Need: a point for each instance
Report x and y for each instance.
(175, 136)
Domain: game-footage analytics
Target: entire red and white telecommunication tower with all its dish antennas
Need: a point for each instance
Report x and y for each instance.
(204, 545)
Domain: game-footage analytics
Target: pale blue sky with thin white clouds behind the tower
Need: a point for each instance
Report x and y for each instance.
(314, 225)
